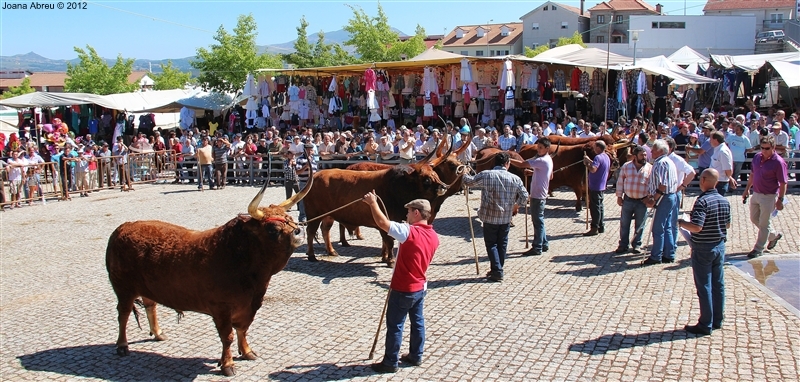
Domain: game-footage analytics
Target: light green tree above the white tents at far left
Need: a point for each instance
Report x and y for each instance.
(93, 75)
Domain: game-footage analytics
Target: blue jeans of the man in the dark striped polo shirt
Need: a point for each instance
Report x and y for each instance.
(709, 279)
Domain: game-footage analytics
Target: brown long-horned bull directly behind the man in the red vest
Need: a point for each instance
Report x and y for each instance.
(395, 185)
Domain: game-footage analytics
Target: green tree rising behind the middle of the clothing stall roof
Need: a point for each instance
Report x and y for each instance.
(375, 41)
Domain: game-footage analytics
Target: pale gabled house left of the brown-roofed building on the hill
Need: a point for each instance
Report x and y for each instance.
(549, 21)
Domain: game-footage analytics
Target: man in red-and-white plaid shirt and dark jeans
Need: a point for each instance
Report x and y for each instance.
(631, 192)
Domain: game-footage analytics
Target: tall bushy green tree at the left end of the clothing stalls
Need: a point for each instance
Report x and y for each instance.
(225, 65)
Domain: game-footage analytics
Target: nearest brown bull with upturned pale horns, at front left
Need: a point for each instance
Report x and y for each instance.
(223, 272)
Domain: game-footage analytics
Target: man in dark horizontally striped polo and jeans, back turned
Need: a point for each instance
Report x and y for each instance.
(710, 220)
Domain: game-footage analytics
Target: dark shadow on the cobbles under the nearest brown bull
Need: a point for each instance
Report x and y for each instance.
(102, 362)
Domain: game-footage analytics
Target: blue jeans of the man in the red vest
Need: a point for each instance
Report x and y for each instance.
(399, 305)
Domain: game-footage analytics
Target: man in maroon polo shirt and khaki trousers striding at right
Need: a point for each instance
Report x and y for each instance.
(768, 181)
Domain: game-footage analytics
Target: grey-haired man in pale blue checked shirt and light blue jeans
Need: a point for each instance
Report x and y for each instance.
(662, 186)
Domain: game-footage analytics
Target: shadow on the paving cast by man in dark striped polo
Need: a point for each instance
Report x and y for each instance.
(617, 341)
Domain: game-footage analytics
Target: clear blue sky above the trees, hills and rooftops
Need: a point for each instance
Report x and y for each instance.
(175, 29)
